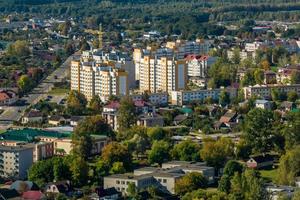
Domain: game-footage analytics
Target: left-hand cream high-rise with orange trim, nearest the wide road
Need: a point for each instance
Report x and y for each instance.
(92, 79)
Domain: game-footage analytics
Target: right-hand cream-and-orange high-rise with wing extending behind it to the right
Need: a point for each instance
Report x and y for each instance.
(164, 69)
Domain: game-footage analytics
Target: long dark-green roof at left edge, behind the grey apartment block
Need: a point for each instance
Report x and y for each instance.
(28, 135)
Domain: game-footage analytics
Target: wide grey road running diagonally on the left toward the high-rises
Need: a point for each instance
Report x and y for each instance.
(14, 113)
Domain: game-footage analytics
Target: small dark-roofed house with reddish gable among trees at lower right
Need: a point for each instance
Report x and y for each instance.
(261, 161)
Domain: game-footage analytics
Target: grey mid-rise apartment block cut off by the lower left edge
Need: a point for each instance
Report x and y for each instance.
(15, 161)
